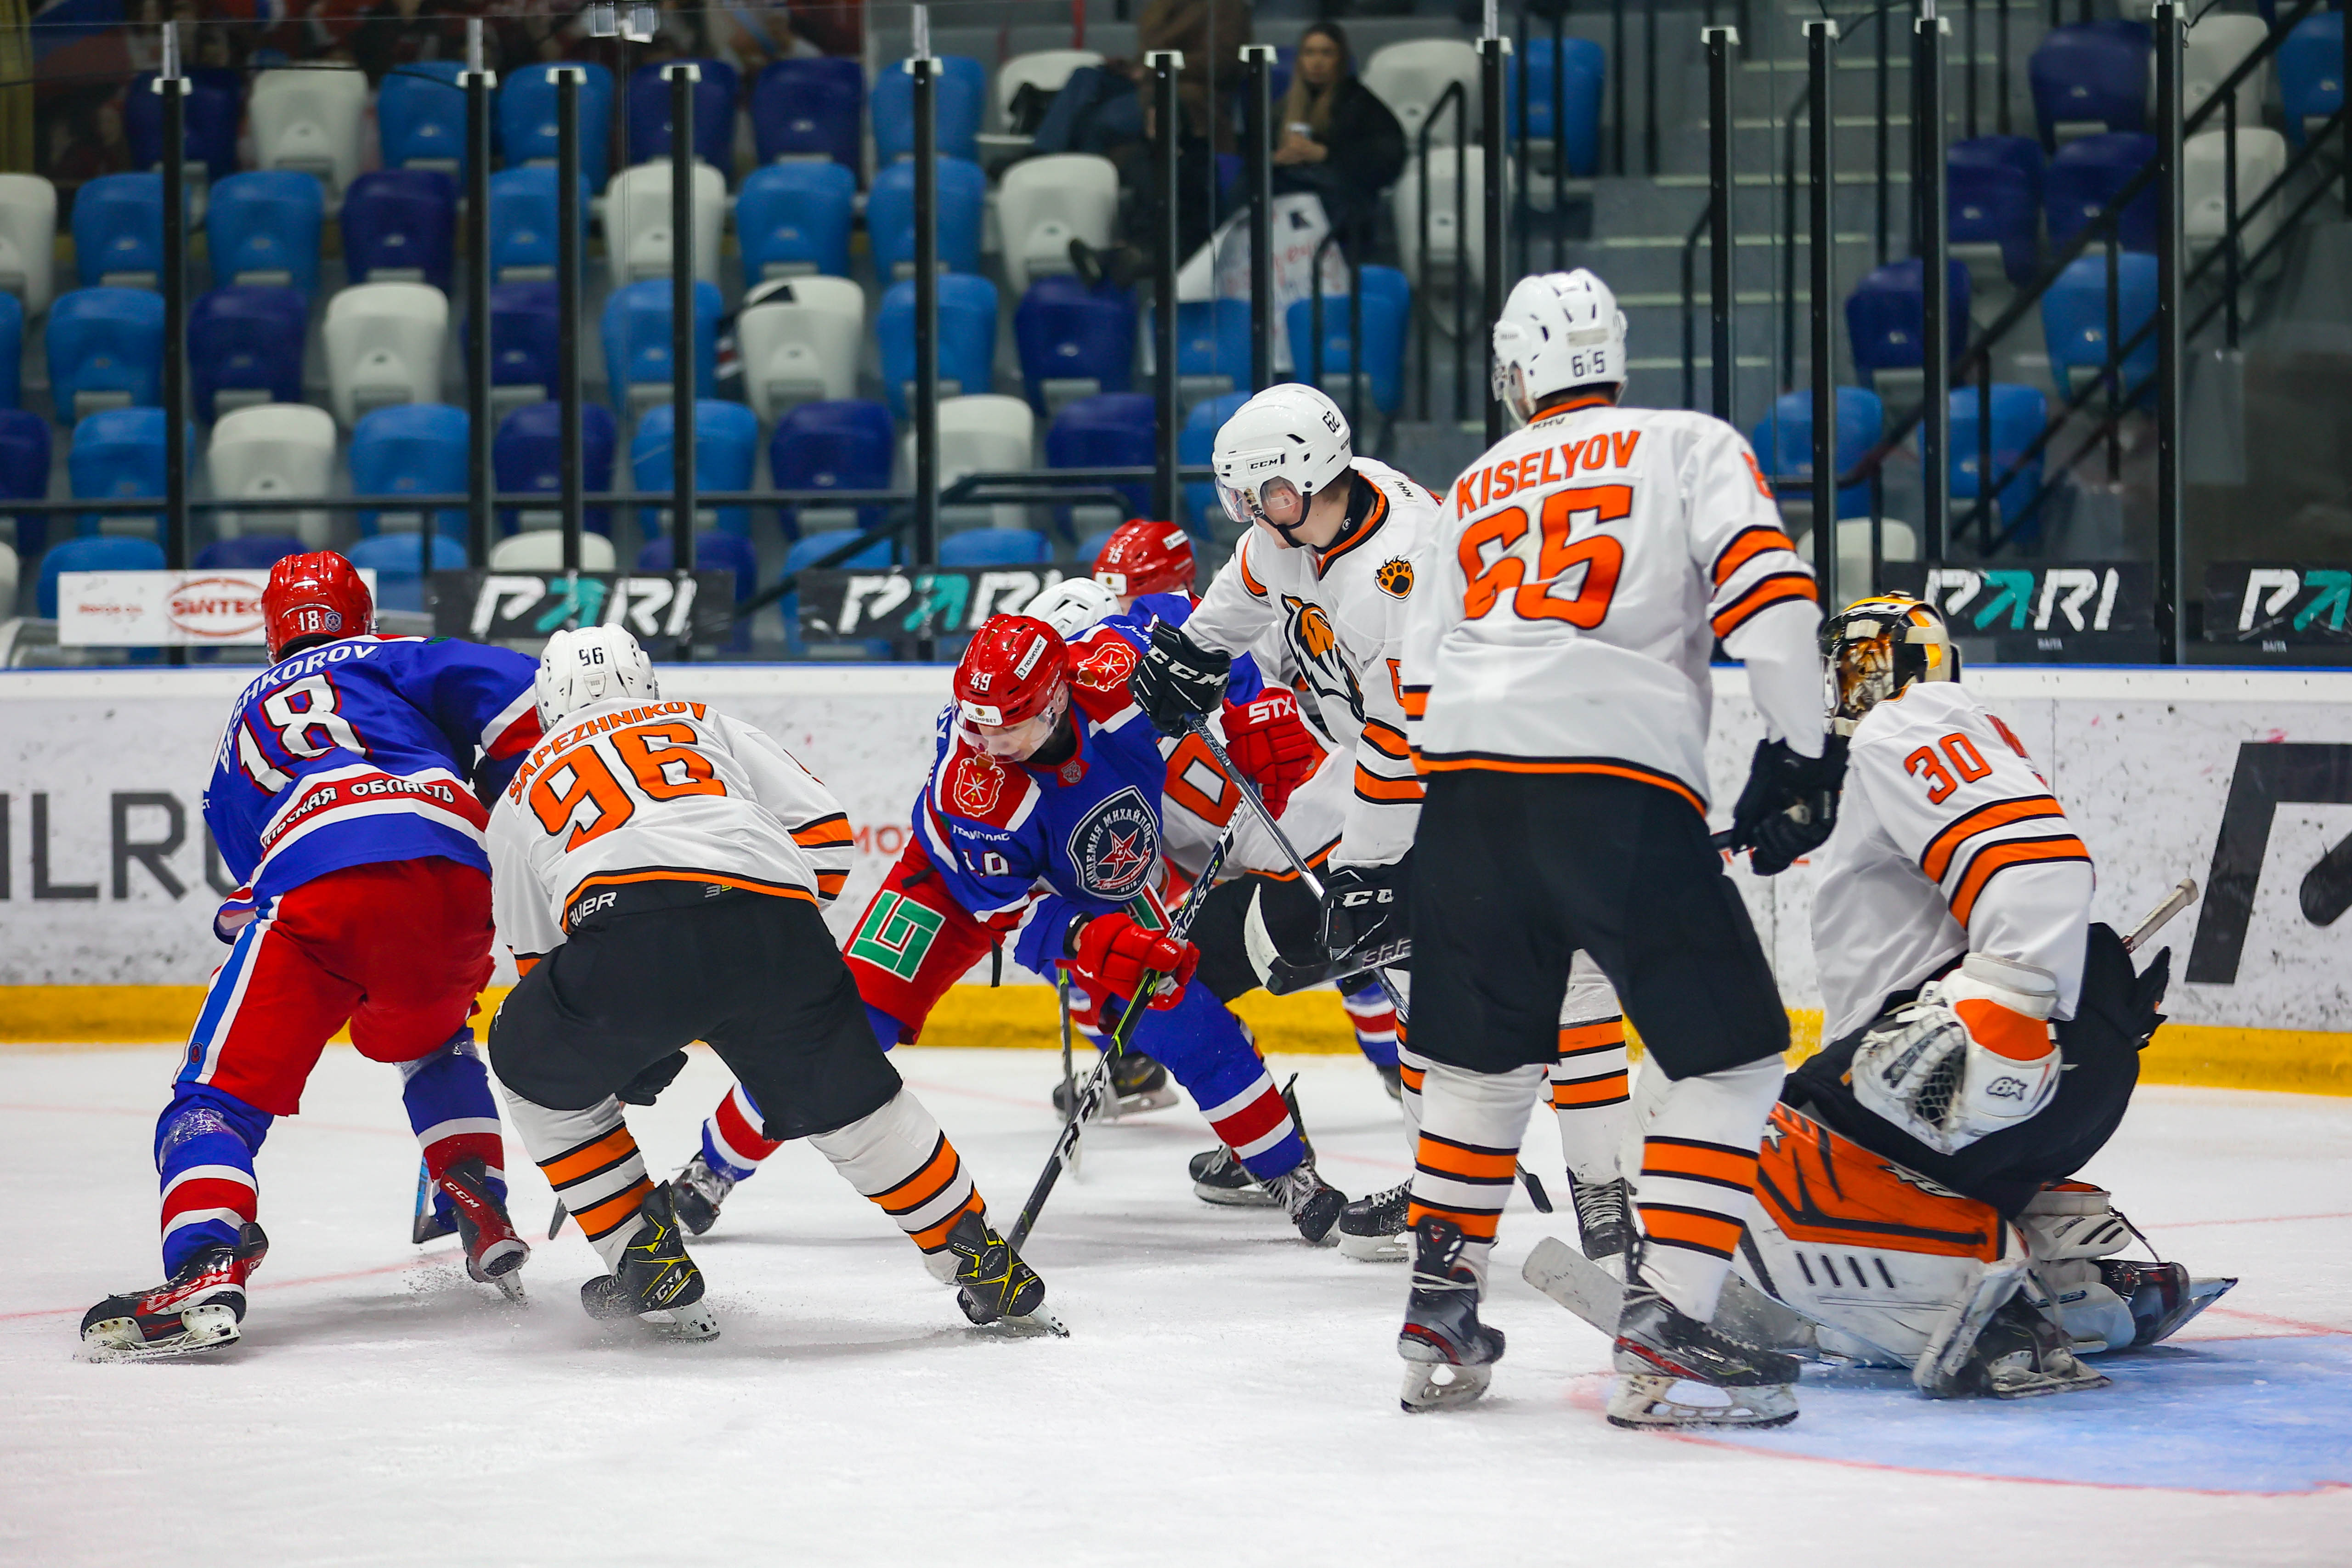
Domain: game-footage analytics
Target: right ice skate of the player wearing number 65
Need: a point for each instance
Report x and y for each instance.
(1662, 1351)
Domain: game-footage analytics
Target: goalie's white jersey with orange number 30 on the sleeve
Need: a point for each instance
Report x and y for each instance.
(1946, 843)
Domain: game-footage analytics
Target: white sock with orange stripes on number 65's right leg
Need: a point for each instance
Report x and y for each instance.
(1699, 1177)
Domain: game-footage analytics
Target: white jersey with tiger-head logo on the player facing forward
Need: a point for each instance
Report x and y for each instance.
(1339, 615)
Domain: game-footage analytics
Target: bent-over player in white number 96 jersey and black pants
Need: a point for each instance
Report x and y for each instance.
(660, 873)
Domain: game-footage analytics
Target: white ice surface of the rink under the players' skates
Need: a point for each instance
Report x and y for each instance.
(1227, 1395)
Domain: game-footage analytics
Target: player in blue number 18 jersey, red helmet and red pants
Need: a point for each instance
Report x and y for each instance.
(347, 798)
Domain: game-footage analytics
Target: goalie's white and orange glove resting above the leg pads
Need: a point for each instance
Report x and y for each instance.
(1967, 1059)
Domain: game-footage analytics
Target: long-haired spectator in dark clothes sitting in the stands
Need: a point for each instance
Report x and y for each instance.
(1335, 138)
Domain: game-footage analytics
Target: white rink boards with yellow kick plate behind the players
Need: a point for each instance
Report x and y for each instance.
(2238, 779)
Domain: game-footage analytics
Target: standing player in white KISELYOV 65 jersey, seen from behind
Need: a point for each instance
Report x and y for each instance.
(1556, 674)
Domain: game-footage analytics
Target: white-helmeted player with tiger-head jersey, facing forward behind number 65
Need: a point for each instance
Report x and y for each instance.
(1328, 565)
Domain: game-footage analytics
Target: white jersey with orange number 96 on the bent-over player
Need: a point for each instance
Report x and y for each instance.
(636, 793)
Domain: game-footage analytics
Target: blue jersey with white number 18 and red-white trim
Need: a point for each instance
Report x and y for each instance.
(366, 751)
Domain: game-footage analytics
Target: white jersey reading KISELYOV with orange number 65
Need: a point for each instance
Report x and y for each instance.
(1575, 589)
